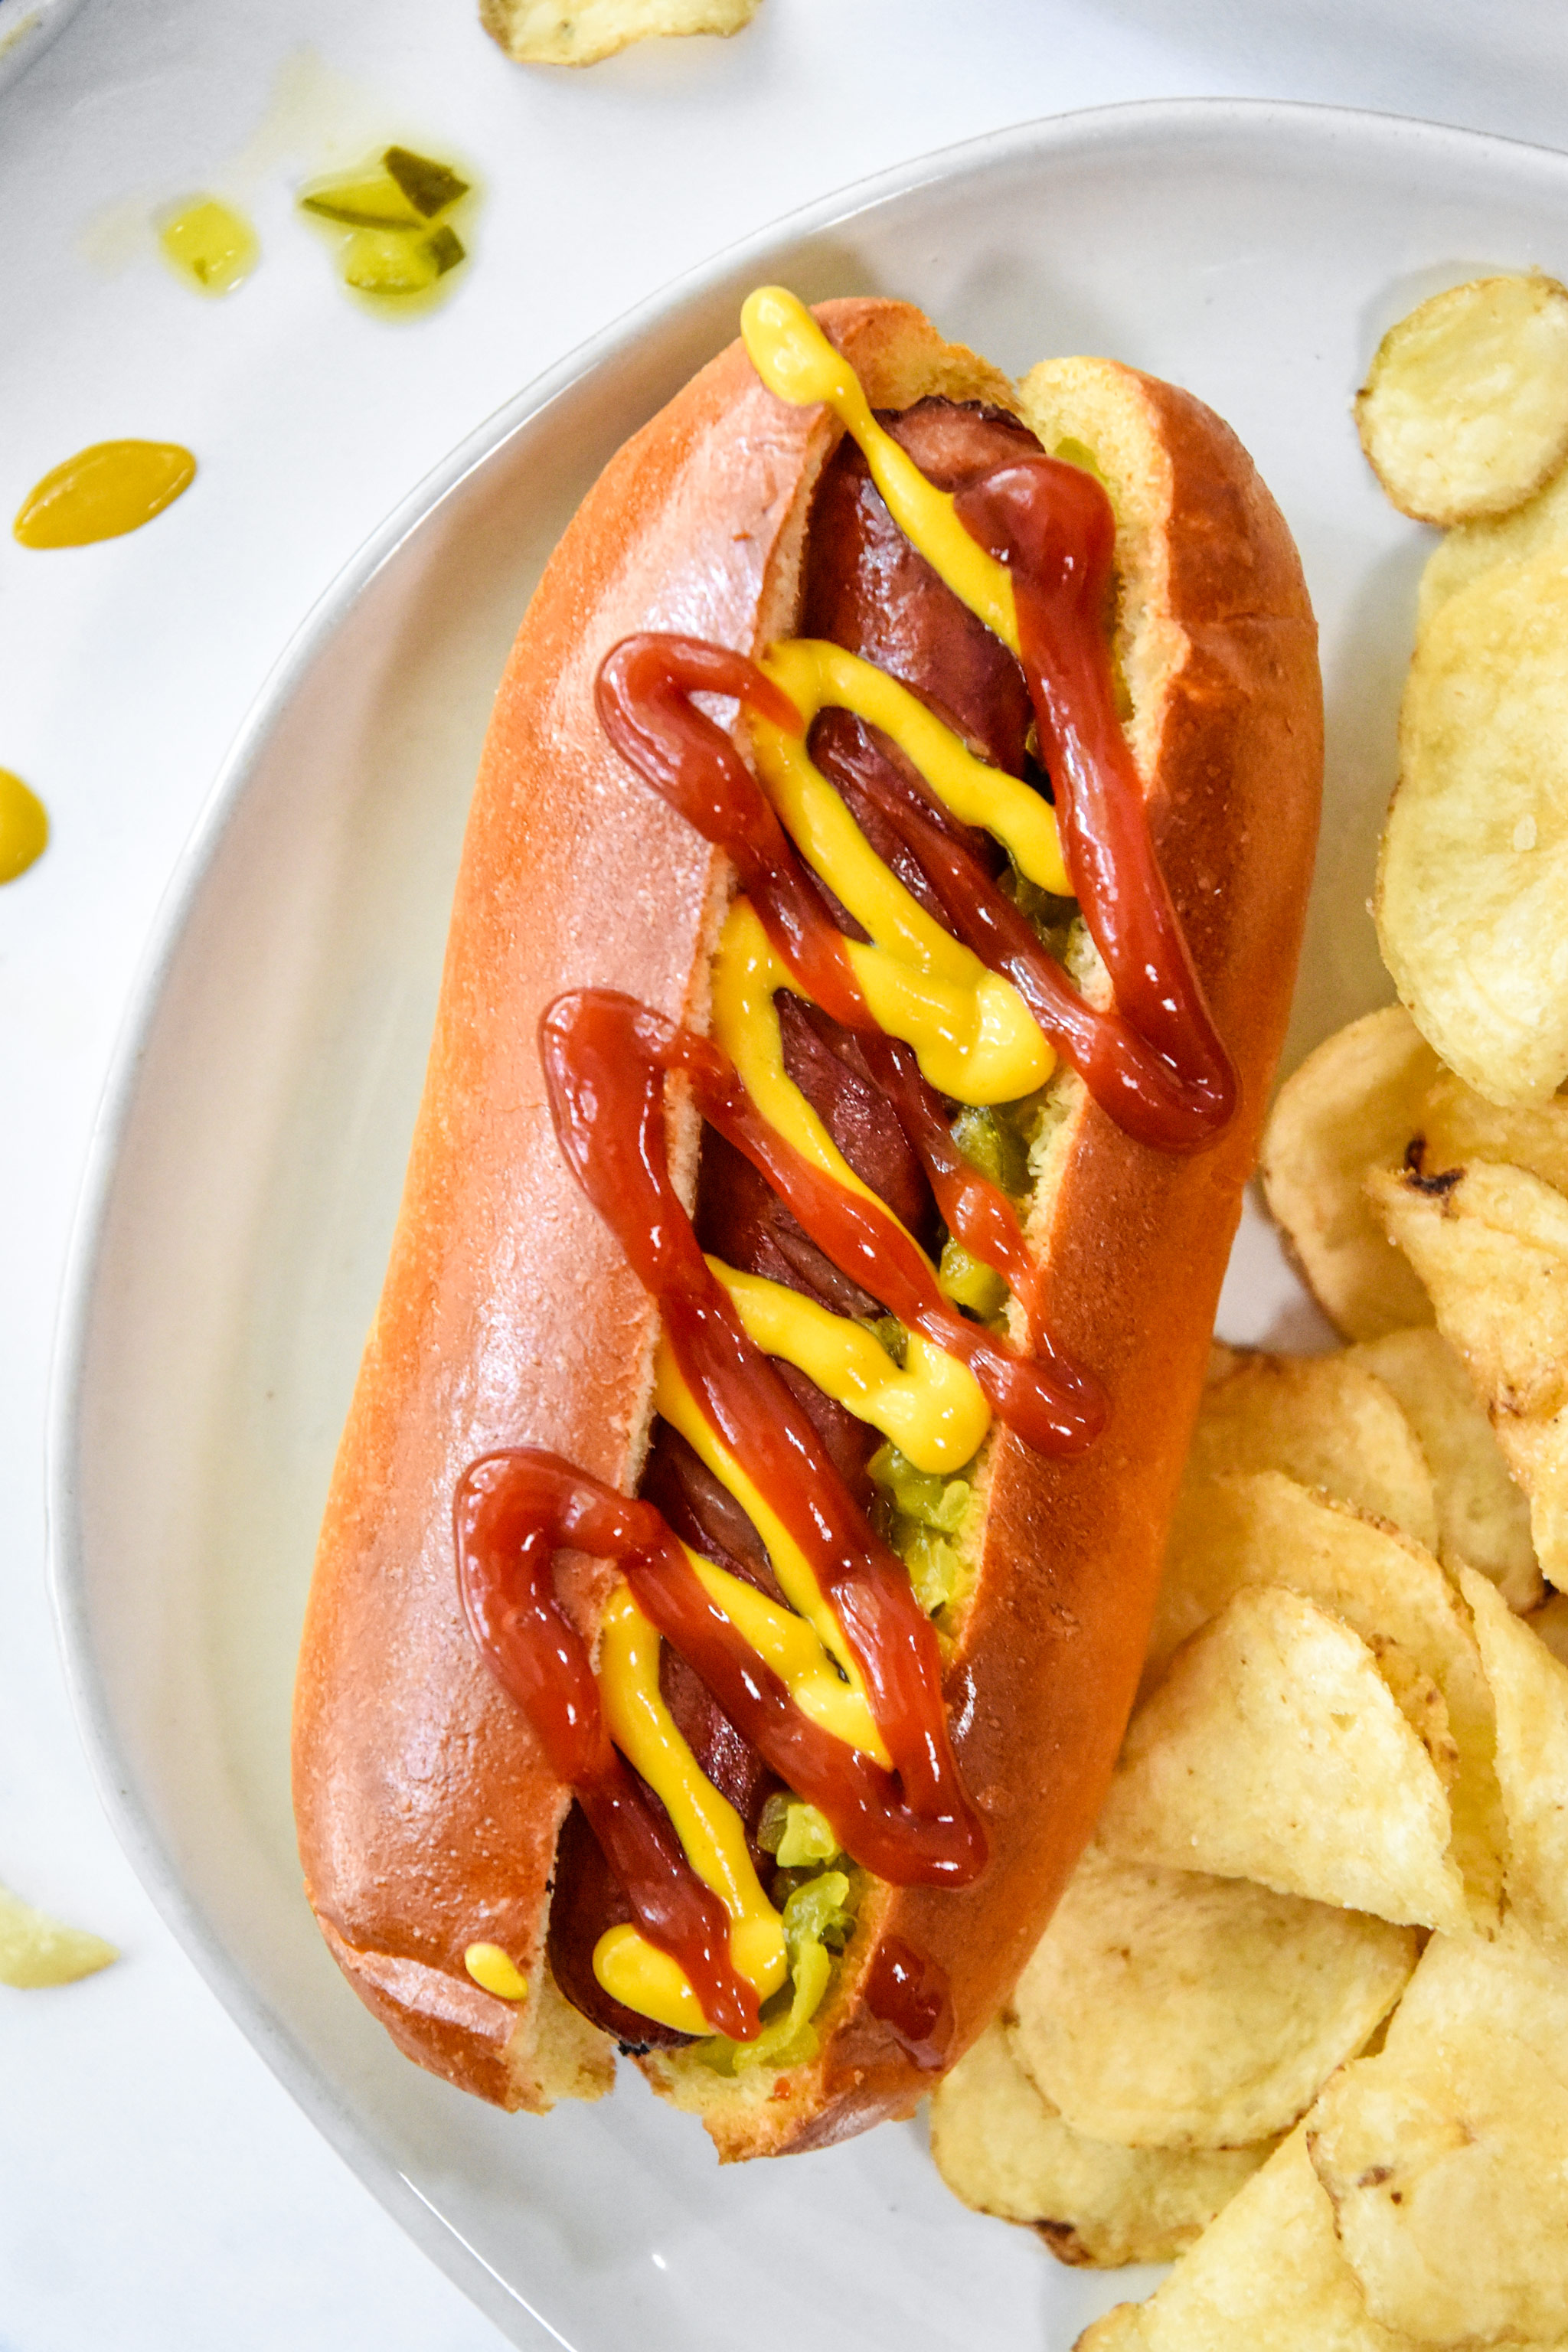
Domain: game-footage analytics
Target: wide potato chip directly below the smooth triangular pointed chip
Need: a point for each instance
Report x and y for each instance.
(1170, 2010)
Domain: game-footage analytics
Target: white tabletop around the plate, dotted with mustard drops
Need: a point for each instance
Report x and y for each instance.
(156, 2186)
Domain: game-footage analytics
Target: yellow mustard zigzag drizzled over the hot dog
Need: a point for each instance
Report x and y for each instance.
(974, 1041)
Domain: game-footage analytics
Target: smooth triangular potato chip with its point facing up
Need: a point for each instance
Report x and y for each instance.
(1275, 1751)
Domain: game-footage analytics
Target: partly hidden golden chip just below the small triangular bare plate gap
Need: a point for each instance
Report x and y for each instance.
(1327, 1424)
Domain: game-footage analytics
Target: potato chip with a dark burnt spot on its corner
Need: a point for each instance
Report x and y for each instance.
(1492, 1245)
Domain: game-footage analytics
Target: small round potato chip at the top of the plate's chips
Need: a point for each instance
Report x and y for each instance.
(1466, 406)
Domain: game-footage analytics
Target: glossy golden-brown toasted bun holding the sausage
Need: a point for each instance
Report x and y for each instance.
(427, 1815)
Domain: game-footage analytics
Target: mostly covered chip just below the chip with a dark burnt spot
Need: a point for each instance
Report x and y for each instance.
(1482, 1518)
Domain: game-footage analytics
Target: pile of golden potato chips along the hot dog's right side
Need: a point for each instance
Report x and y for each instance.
(1301, 2019)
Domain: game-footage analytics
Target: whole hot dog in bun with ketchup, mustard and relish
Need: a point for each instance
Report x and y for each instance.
(751, 1509)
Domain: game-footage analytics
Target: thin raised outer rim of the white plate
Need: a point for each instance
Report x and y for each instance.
(1097, 128)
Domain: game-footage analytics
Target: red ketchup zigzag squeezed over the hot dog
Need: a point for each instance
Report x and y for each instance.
(1153, 1064)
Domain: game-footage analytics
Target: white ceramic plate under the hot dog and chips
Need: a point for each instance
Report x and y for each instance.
(250, 1154)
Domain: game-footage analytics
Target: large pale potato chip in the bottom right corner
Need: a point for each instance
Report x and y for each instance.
(1445, 2156)
